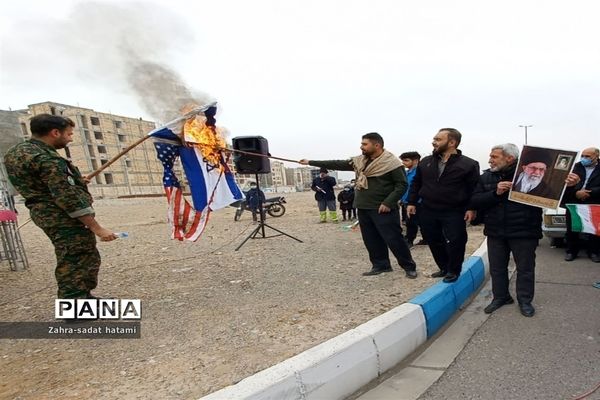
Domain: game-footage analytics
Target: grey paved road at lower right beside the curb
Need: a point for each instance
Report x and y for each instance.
(554, 355)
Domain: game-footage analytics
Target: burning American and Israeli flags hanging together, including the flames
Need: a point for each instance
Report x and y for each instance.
(196, 140)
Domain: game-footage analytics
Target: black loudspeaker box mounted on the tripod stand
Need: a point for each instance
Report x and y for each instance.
(247, 164)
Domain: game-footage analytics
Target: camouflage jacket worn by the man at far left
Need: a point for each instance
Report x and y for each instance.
(52, 186)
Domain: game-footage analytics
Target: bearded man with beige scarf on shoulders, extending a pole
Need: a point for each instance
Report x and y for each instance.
(380, 182)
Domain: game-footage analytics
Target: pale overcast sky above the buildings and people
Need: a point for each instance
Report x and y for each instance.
(313, 76)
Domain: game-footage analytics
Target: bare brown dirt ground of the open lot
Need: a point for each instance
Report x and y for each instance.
(211, 315)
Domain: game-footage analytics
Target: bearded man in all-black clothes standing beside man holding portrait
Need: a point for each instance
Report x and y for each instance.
(444, 182)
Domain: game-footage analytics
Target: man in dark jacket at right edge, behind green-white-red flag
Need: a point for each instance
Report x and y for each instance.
(587, 191)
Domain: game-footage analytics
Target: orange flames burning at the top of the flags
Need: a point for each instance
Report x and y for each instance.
(208, 139)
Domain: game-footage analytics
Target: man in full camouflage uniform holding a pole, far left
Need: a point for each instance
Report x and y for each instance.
(58, 200)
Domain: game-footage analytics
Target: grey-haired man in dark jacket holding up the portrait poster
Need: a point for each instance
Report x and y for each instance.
(510, 227)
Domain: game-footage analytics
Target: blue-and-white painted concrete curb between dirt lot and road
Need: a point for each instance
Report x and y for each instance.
(342, 365)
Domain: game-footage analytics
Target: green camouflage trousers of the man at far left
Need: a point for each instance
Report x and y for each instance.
(77, 261)
